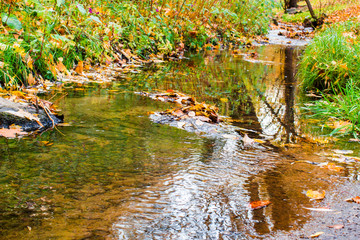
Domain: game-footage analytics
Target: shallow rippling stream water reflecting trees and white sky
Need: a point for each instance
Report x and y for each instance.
(112, 173)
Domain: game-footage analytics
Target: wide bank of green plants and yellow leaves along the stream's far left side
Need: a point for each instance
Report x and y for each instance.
(39, 38)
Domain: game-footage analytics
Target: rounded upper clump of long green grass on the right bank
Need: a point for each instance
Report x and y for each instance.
(333, 58)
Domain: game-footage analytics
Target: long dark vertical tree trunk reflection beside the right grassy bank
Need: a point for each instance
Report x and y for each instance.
(289, 79)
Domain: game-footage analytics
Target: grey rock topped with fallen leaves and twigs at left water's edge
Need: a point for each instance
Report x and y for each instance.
(25, 115)
